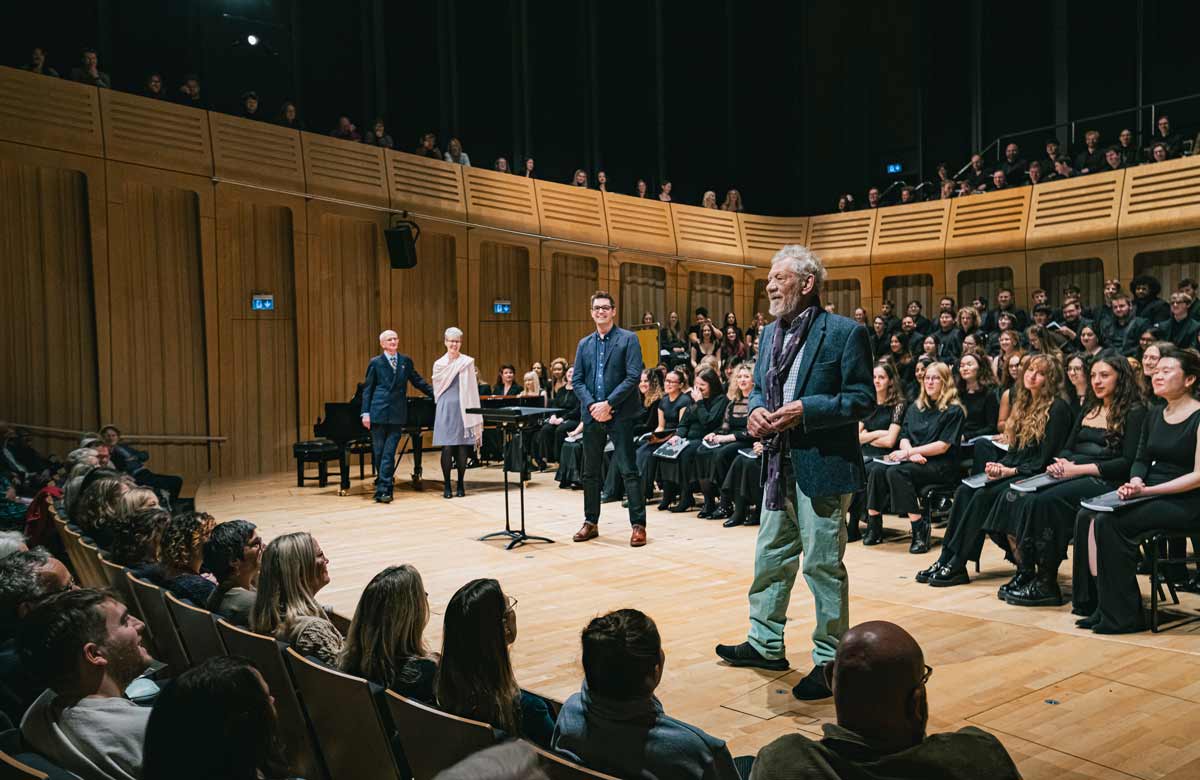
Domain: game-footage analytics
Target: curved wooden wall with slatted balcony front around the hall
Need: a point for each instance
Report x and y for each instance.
(154, 224)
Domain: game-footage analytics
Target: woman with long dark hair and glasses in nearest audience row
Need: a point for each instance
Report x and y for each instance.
(476, 675)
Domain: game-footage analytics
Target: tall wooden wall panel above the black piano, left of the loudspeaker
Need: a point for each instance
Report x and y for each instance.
(338, 305)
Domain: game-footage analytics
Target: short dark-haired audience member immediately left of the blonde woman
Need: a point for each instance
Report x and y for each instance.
(233, 554)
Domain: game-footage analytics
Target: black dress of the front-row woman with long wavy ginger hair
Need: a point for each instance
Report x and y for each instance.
(973, 513)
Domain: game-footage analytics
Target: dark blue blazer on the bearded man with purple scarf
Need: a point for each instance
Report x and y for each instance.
(836, 386)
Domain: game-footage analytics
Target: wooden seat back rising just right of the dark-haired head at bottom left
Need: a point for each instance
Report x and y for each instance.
(296, 731)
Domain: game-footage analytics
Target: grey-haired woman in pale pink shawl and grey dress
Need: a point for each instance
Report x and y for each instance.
(455, 391)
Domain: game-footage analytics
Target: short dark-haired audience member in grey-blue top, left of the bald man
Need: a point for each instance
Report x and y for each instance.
(616, 725)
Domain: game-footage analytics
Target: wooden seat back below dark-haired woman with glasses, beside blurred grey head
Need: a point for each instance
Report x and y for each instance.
(433, 740)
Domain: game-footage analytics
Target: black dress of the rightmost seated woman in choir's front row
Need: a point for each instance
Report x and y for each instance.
(1166, 453)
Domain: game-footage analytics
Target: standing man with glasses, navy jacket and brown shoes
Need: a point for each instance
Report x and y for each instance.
(608, 369)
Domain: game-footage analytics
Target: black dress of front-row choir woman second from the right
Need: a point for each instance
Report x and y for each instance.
(1045, 521)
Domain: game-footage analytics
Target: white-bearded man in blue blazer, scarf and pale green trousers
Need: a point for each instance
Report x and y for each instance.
(813, 385)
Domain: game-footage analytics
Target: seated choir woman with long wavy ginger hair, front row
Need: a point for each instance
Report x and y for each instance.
(1036, 433)
